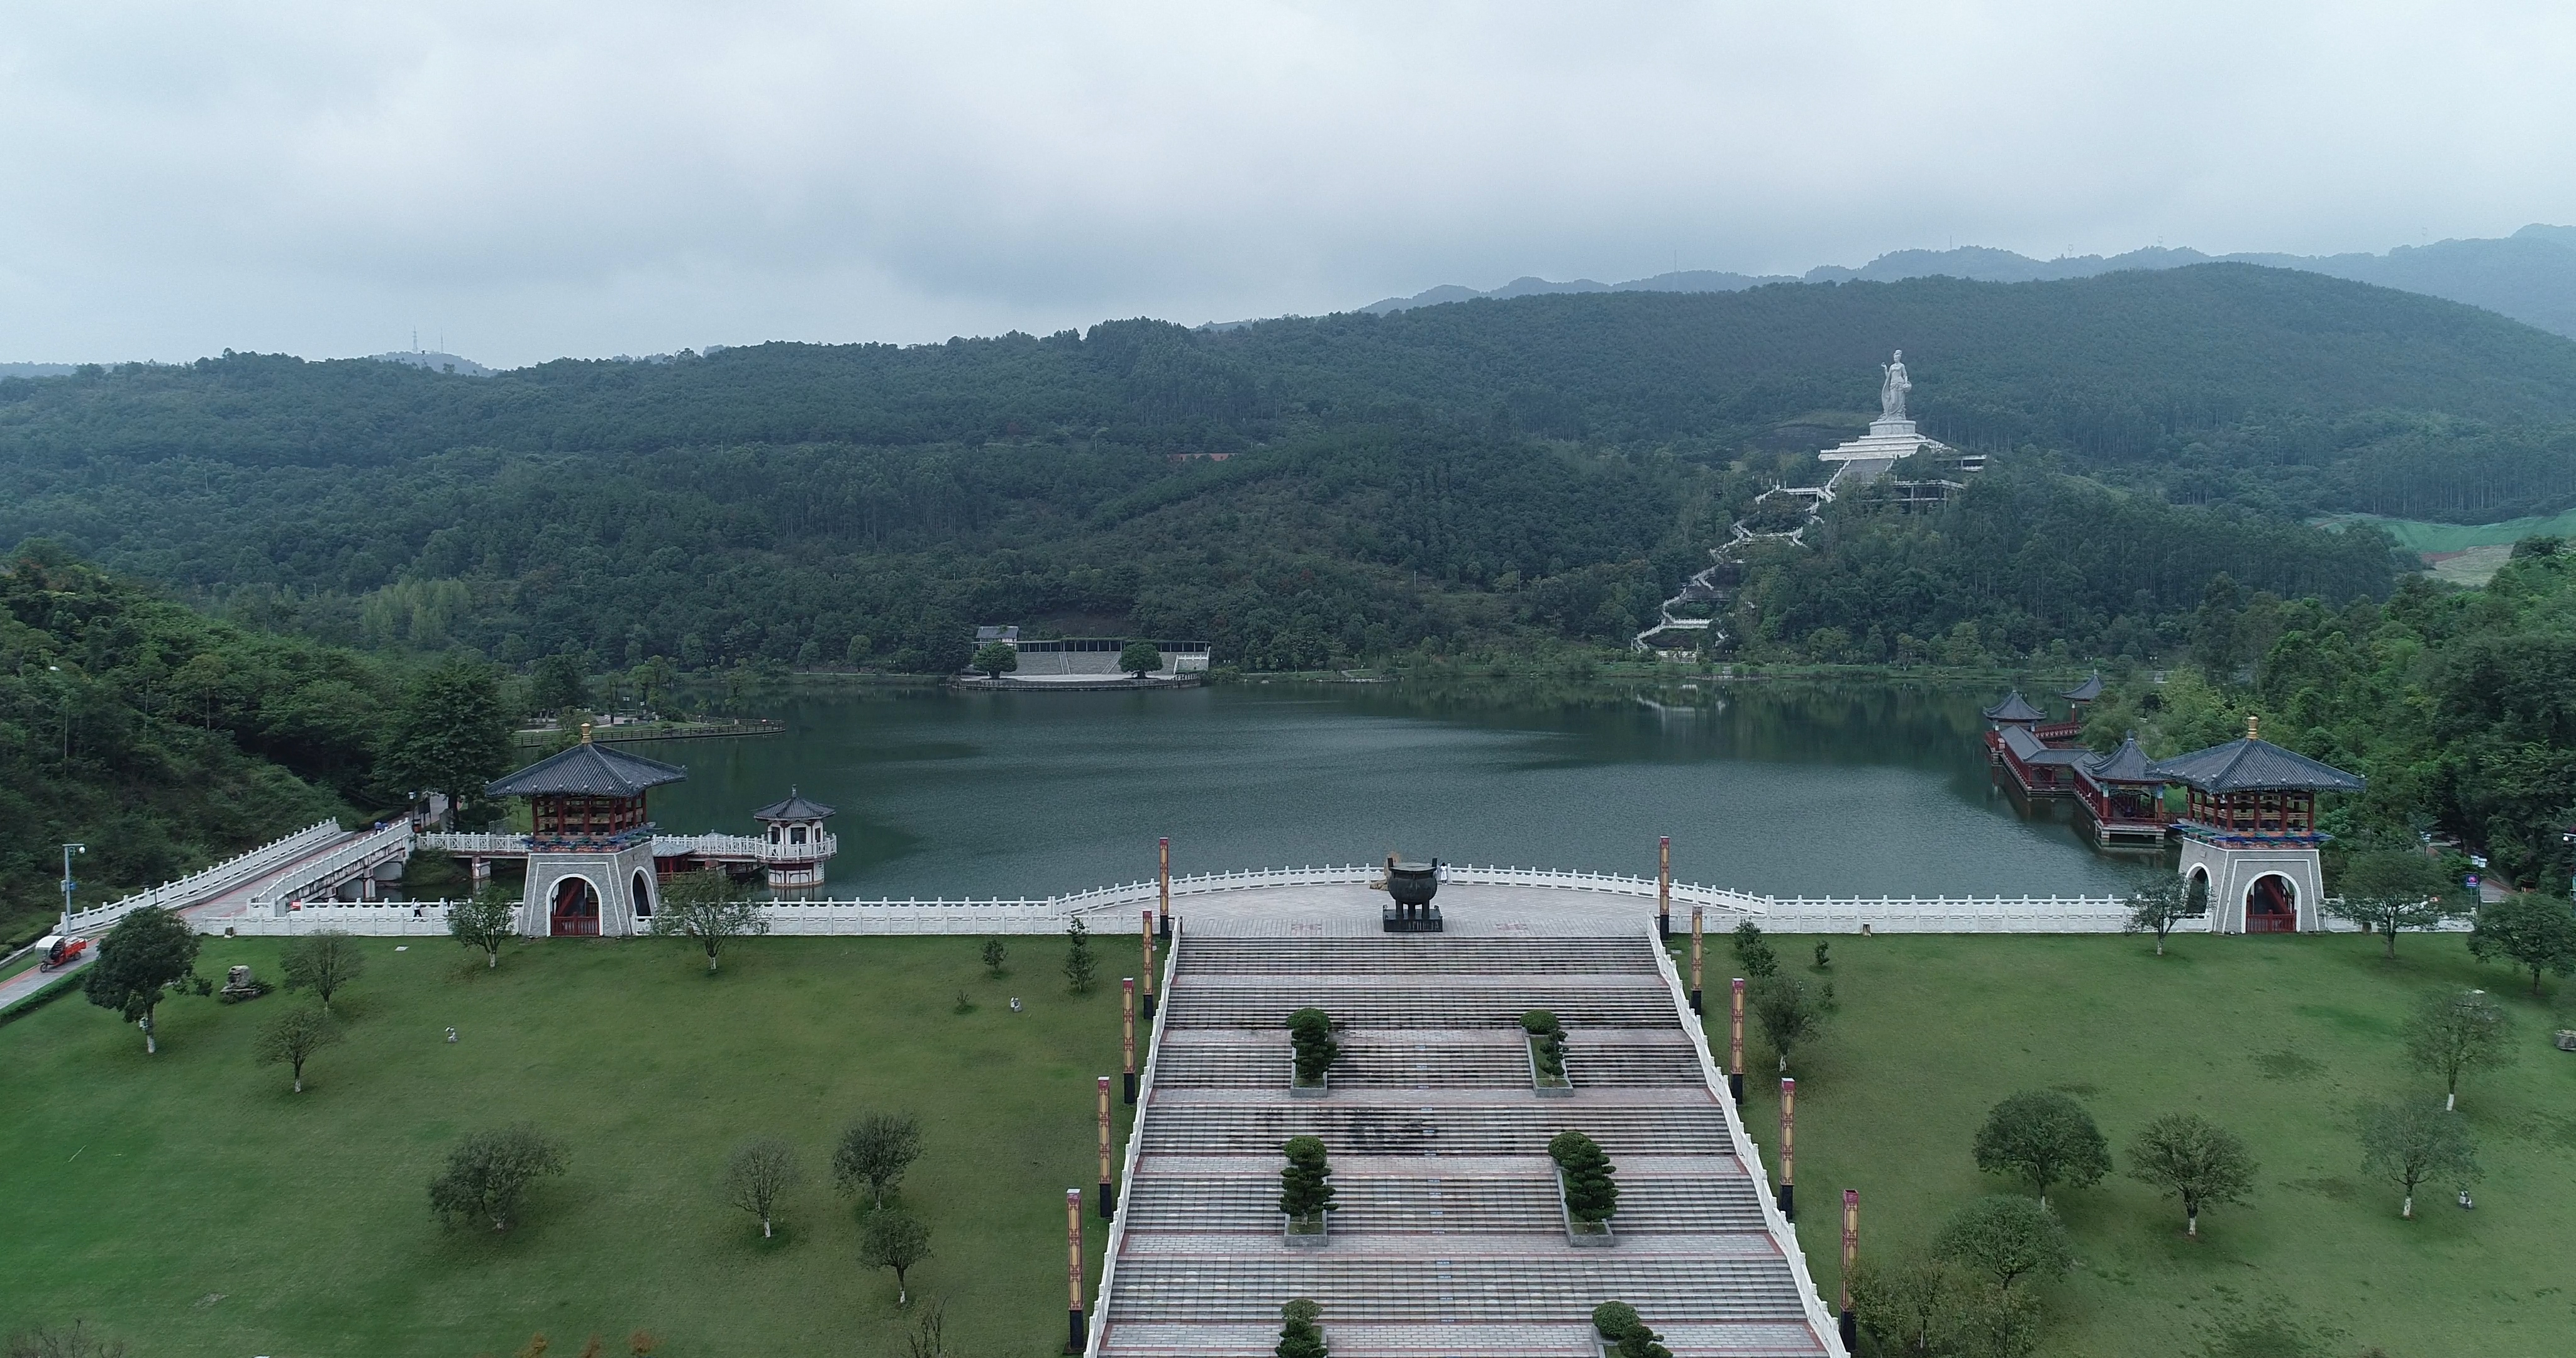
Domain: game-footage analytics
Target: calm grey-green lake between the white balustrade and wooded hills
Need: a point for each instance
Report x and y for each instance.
(1784, 790)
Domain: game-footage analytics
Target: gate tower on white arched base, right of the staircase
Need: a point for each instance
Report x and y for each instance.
(2250, 831)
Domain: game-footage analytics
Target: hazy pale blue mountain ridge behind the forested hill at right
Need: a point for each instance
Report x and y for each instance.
(2528, 277)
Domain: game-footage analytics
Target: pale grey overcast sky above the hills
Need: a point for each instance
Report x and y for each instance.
(596, 179)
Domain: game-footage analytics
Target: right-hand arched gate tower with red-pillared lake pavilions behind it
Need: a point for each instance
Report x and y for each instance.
(2248, 823)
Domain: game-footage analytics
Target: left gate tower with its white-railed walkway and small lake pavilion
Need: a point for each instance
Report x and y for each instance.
(596, 862)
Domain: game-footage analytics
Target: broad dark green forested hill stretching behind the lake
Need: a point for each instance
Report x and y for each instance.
(1480, 473)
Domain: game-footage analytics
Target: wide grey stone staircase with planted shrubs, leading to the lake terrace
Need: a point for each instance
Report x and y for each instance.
(1449, 1233)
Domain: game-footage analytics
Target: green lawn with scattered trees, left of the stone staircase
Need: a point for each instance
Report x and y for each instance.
(192, 1205)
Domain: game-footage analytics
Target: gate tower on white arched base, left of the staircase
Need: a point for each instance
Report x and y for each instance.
(591, 867)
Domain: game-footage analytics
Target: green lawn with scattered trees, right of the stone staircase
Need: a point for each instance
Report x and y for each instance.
(2276, 1040)
